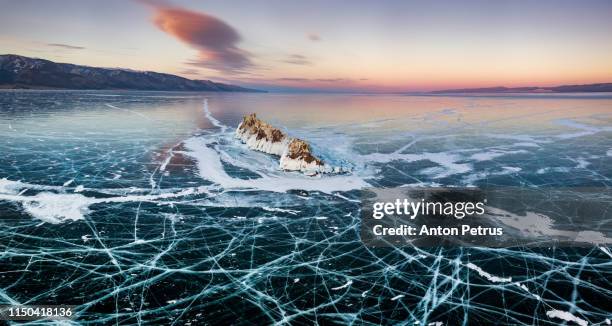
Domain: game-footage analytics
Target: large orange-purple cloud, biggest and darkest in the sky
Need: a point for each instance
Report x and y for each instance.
(215, 40)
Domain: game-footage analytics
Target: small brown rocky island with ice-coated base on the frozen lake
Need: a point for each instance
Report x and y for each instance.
(295, 154)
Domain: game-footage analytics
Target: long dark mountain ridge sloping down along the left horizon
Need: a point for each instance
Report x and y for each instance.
(19, 72)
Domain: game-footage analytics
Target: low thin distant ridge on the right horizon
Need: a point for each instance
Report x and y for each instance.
(587, 88)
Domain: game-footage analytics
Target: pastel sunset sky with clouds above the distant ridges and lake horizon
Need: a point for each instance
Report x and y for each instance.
(368, 46)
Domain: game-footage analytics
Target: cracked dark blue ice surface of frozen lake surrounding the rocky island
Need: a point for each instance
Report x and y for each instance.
(103, 206)
